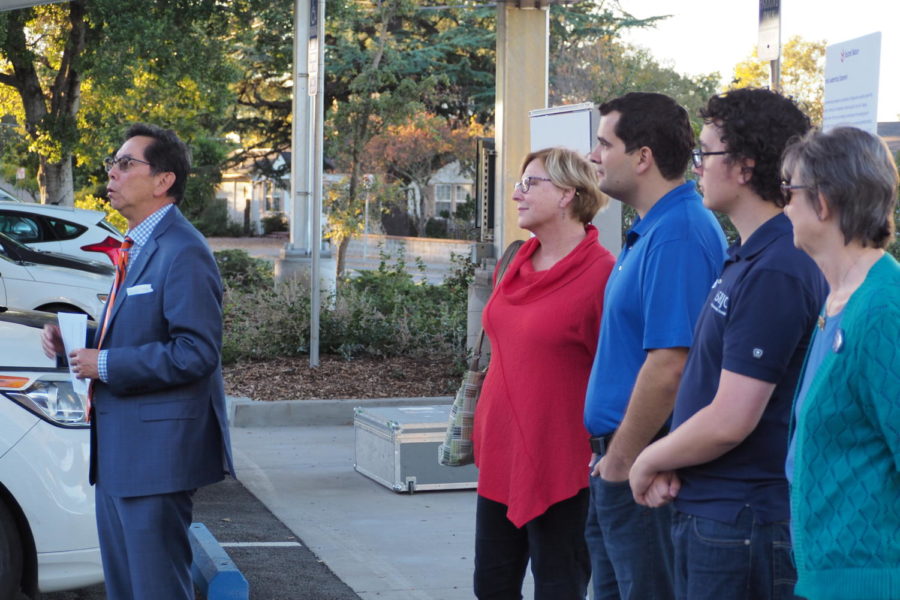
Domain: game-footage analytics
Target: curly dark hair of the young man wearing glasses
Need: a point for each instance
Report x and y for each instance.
(757, 124)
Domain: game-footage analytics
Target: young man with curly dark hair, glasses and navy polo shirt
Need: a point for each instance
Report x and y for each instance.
(723, 463)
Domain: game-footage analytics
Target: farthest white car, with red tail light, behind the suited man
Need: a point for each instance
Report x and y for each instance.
(81, 233)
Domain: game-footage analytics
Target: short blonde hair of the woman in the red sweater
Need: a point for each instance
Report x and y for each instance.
(568, 169)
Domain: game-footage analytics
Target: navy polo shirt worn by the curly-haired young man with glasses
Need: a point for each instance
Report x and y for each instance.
(756, 322)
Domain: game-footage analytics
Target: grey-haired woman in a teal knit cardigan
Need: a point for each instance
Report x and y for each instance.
(844, 457)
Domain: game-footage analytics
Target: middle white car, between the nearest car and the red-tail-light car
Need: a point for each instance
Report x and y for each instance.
(32, 280)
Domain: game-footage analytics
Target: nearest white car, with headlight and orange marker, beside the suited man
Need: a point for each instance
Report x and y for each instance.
(48, 530)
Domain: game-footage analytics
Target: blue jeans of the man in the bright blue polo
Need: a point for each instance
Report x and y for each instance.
(630, 545)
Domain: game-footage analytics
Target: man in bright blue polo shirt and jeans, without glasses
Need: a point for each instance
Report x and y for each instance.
(672, 255)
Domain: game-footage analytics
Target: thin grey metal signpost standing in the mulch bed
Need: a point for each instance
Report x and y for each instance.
(316, 221)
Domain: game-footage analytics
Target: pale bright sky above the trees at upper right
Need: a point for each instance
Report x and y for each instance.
(703, 36)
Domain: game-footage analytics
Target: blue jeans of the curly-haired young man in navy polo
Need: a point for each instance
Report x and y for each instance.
(745, 560)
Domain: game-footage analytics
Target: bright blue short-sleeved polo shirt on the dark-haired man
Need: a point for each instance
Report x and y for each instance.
(658, 285)
